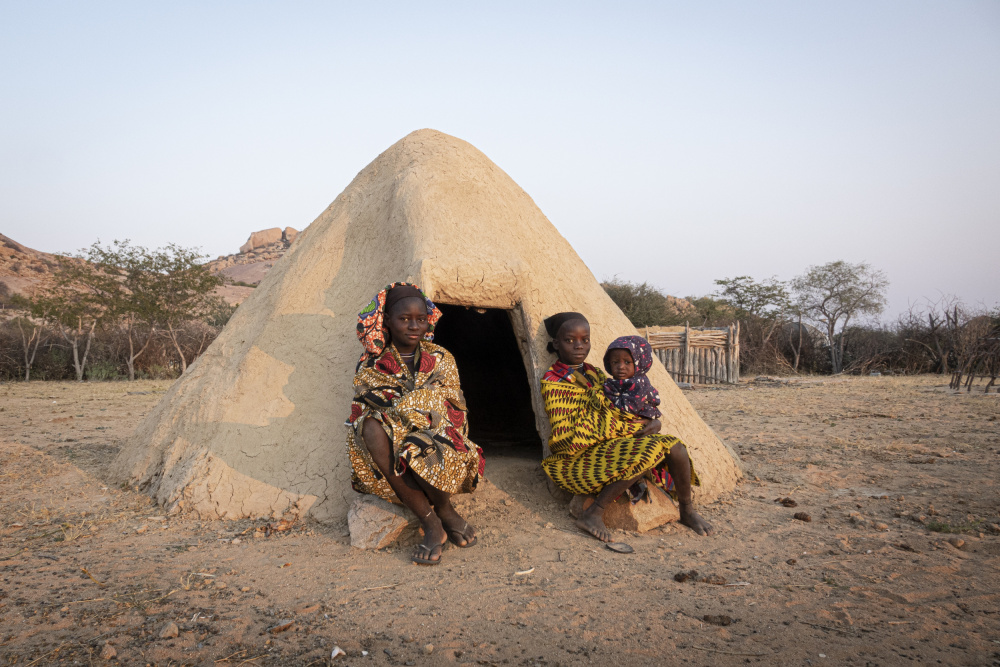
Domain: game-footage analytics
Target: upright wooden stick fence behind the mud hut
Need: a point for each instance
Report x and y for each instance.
(704, 355)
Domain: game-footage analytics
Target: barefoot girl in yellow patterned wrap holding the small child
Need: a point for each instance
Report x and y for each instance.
(598, 449)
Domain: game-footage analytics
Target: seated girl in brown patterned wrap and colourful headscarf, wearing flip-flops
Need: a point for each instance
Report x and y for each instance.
(408, 430)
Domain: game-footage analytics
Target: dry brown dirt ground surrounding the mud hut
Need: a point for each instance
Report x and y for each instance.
(889, 470)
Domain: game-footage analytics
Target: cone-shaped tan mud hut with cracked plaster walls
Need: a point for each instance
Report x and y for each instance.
(255, 426)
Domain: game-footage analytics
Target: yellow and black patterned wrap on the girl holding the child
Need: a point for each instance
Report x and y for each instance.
(594, 443)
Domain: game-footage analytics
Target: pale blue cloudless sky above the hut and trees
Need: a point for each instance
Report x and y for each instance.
(673, 143)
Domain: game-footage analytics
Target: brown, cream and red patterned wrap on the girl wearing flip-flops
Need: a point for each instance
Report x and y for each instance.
(424, 416)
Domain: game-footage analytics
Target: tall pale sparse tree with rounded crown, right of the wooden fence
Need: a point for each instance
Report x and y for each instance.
(835, 293)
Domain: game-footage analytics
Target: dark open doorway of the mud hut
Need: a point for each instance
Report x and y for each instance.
(494, 380)
